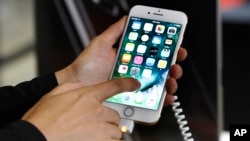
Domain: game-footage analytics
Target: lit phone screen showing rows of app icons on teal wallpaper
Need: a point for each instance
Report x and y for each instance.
(146, 54)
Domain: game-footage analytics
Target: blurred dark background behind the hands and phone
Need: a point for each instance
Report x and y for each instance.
(41, 36)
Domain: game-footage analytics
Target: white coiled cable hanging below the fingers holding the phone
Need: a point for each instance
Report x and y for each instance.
(178, 112)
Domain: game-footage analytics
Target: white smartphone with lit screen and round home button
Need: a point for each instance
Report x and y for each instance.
(148, 48)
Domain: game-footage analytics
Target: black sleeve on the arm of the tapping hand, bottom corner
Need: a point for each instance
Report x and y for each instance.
(21, 131)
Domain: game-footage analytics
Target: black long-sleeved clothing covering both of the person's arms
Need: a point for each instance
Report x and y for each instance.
(15, 101)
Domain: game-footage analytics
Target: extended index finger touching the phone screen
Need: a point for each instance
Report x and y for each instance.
(115, 86)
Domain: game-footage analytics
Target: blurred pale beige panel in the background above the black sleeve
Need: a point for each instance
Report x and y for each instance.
(17, 36)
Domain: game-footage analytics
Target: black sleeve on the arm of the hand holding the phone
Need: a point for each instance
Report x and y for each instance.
(16, 100)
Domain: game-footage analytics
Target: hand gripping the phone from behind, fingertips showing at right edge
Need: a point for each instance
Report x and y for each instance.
(95, 63)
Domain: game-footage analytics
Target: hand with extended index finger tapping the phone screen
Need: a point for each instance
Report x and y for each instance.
(75, 113)
